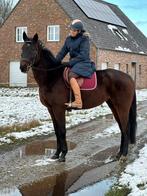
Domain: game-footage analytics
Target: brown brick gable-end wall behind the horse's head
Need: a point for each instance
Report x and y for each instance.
(36, 15)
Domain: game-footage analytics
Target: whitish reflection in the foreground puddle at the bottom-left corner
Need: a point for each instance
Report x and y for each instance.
(10, 192)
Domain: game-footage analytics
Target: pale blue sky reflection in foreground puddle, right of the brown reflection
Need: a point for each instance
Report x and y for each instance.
(97, 189)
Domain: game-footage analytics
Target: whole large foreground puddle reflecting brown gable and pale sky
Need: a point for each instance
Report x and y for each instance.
(59, 184)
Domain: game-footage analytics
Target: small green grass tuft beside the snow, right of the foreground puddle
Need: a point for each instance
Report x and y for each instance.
(118, 191)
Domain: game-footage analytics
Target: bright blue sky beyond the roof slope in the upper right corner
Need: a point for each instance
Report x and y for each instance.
(136, 10)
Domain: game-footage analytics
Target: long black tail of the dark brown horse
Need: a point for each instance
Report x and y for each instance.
(132, 120)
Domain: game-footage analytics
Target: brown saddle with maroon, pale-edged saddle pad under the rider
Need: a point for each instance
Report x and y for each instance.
(84, 83)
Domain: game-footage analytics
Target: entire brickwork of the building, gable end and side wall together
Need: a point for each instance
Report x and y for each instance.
(37, 15)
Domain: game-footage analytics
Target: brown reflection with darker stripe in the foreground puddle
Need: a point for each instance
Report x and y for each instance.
(52, 185)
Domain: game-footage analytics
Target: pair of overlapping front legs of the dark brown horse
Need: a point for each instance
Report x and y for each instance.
(58, 117)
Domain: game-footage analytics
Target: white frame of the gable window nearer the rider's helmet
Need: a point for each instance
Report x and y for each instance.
(53, 34)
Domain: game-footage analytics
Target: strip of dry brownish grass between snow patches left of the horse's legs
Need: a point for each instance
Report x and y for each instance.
(19, 127)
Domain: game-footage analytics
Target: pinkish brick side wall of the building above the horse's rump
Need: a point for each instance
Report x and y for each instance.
(125, 59)
